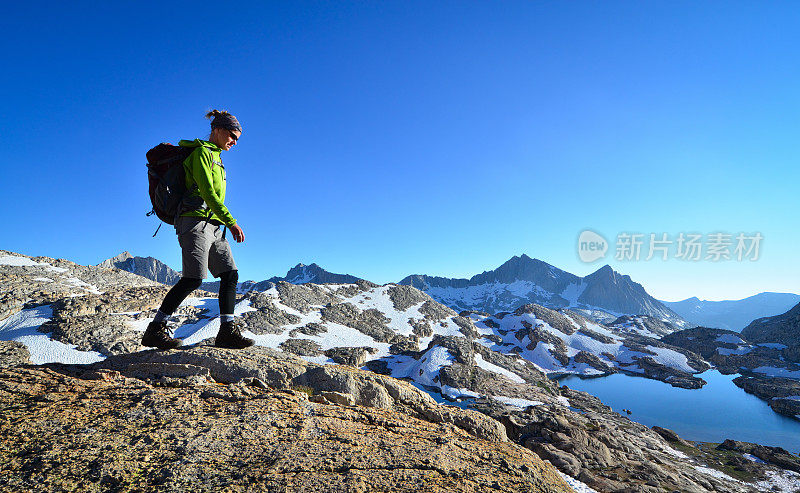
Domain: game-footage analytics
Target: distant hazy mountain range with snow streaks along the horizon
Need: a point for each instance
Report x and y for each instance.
(603, 295)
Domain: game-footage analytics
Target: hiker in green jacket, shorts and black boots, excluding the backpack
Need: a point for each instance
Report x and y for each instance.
(201, 237)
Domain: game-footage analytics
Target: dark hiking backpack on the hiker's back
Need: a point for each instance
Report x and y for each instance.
(167, 180)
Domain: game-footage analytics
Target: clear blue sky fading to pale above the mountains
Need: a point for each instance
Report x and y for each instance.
(383, 139)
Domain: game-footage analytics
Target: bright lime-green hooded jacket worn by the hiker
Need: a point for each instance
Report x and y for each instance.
(205, 180)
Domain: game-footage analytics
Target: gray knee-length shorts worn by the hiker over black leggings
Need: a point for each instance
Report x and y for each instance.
(202, 245)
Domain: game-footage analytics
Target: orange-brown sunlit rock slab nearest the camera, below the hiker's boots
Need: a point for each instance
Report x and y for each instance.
(67, 429)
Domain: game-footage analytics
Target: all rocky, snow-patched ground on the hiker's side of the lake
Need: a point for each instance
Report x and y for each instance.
(315, 345)
